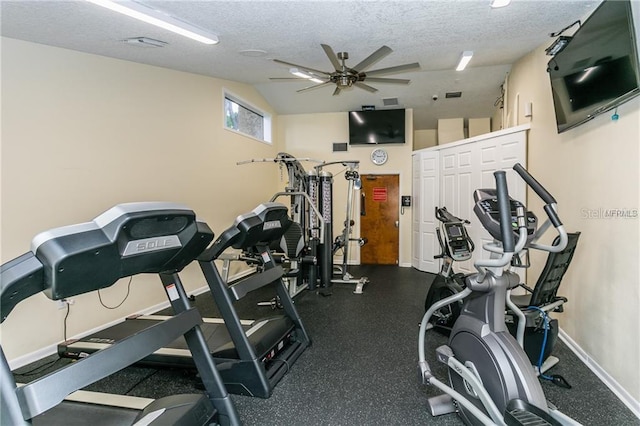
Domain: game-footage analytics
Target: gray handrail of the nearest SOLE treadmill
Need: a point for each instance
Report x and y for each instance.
(50, 390)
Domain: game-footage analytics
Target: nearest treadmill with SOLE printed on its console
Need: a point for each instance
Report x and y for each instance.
(129, 239)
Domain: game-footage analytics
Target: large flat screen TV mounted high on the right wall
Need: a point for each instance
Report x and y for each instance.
(598, 69)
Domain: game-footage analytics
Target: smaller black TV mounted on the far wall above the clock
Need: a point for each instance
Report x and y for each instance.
(376, 126)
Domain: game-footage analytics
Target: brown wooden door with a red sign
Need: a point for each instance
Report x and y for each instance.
(379, 219)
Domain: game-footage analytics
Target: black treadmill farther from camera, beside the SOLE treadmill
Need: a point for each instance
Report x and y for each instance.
(252, 356)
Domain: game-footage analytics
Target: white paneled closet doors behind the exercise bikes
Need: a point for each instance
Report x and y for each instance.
(448, 175)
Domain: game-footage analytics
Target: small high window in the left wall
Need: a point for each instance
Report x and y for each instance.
(246, 119)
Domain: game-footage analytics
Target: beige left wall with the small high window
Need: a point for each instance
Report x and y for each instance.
(81, 133)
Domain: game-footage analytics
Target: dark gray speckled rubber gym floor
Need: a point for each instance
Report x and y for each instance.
(362, 366)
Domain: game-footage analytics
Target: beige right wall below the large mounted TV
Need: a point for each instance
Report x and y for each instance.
(591, 167)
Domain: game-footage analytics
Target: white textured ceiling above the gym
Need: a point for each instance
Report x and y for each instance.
(431, 32)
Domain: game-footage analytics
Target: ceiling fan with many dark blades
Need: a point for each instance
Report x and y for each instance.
(345, 77)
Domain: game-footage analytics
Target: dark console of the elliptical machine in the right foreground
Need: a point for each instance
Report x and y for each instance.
(486, 209)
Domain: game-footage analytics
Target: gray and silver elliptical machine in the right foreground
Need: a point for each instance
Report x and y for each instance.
(492, 381)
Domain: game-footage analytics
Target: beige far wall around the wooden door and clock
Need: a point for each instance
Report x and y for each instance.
(312, 136)
